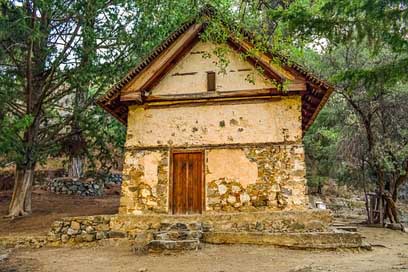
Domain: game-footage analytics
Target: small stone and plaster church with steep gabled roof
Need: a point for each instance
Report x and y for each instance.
(202, 140)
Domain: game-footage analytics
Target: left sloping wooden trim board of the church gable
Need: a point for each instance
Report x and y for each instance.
(155, 69)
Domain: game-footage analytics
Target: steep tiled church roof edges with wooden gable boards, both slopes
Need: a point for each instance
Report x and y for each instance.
(132, 88)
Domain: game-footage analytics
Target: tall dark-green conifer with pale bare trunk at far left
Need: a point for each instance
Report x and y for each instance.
(40, 41)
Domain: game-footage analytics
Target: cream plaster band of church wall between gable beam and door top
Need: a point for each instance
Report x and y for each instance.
(267, 122)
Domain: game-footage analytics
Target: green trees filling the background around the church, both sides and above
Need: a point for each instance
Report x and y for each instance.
(58, 56)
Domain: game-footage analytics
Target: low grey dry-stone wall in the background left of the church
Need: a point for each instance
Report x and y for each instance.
(72, 186)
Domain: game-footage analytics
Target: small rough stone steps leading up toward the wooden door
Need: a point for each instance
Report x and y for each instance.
(176, 236)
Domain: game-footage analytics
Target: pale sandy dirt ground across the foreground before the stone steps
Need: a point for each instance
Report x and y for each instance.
(390, 253)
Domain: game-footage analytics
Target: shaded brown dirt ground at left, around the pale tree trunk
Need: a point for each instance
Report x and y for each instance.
(47, 207)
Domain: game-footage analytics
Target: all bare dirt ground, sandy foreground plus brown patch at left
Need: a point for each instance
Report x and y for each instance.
(390, 250)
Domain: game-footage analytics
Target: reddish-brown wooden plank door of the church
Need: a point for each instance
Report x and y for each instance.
(187, 191)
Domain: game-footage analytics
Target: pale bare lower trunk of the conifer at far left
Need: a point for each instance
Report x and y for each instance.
(20, 204)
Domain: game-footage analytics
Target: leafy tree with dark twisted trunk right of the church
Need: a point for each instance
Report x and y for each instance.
(373, 135)
